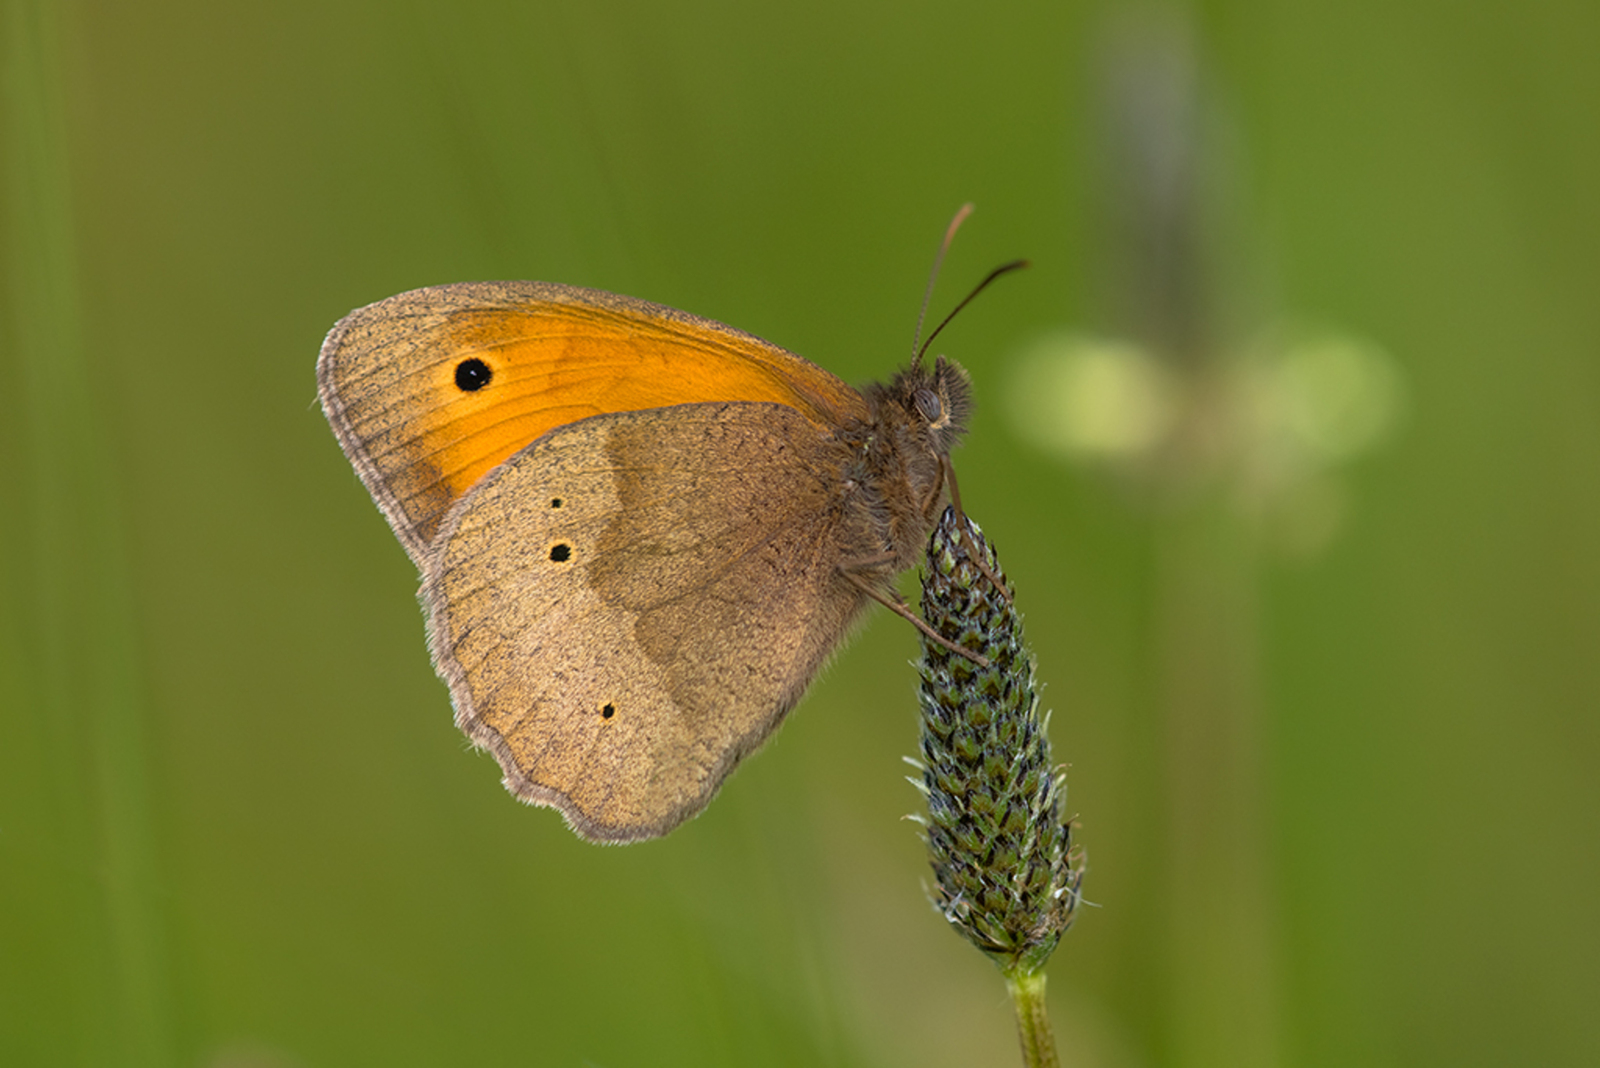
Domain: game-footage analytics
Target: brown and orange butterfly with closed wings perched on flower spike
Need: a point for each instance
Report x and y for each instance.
(641, 533)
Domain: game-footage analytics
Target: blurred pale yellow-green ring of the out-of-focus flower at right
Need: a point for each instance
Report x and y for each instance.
(1276, 423)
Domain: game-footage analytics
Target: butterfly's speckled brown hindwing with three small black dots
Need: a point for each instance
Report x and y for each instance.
(626, 608)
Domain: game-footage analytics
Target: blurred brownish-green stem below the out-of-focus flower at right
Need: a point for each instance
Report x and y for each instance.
(1222, 925)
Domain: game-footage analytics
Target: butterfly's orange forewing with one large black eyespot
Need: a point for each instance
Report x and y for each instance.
(433, 389)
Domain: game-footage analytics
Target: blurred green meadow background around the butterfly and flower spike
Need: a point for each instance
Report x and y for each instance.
(1338, 786)
